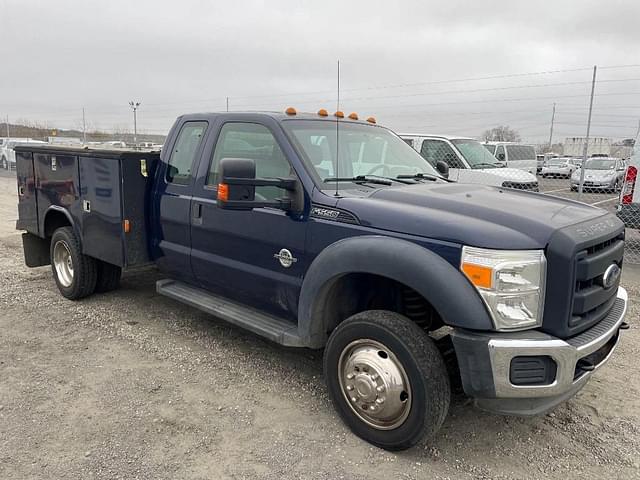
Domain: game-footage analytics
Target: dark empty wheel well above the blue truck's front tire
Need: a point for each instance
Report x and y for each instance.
(357, 292)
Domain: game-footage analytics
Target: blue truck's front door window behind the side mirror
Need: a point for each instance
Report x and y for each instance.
(254, 141)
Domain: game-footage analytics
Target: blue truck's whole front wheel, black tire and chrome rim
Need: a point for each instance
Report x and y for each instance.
(387, 379)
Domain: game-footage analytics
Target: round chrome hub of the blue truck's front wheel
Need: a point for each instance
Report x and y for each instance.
(374, 384)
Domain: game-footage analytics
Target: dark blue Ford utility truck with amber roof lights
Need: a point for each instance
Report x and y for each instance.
(325, 231)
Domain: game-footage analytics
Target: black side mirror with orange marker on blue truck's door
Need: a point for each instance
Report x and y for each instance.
(238, 182)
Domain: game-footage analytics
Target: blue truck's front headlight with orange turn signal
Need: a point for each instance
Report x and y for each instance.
(511, 283)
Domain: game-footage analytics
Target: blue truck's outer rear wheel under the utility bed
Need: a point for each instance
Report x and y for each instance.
(75, 274)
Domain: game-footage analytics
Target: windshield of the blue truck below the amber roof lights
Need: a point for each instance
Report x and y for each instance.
(363, 150)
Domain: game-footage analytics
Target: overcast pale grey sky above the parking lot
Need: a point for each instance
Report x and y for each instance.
(415, 65)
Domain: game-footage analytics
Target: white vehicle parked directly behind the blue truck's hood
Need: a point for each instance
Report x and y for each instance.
(469, 161)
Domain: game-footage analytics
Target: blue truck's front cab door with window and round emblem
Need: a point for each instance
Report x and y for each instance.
(235, 252)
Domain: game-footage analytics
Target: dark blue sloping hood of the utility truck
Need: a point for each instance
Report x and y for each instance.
(469, 214)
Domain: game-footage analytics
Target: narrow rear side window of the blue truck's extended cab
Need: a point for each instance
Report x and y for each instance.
(184, 152)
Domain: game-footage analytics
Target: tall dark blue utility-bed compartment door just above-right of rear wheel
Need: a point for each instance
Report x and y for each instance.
(101, 209)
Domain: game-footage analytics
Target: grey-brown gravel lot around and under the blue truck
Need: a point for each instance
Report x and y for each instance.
(132, 385)
